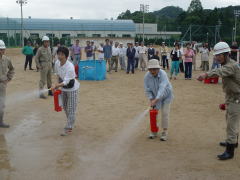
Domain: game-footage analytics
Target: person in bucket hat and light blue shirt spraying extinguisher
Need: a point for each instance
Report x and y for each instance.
(159, 91)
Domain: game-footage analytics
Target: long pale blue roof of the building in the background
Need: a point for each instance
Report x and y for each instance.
(67, 24)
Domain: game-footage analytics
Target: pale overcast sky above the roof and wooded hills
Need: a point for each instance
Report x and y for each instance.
(94, 9)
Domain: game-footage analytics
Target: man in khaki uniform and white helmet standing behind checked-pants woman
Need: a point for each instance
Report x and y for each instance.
(44, 63)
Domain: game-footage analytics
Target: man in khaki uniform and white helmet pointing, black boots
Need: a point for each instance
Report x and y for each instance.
(230, 73)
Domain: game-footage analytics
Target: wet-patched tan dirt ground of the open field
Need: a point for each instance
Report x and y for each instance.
(110, 139)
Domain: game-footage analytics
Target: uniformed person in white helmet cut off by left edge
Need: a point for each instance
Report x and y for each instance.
(6, 75)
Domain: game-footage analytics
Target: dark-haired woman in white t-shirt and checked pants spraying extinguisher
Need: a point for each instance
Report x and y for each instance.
(69, 86)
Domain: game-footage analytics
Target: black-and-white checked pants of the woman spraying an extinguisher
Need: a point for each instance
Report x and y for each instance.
(70, 100)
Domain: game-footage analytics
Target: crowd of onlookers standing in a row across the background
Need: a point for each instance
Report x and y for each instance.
(180, 59)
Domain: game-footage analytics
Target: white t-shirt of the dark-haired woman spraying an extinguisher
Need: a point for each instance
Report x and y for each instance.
(67, 72)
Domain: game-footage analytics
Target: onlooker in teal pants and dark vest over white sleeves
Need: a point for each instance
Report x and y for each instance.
(175, 56)
